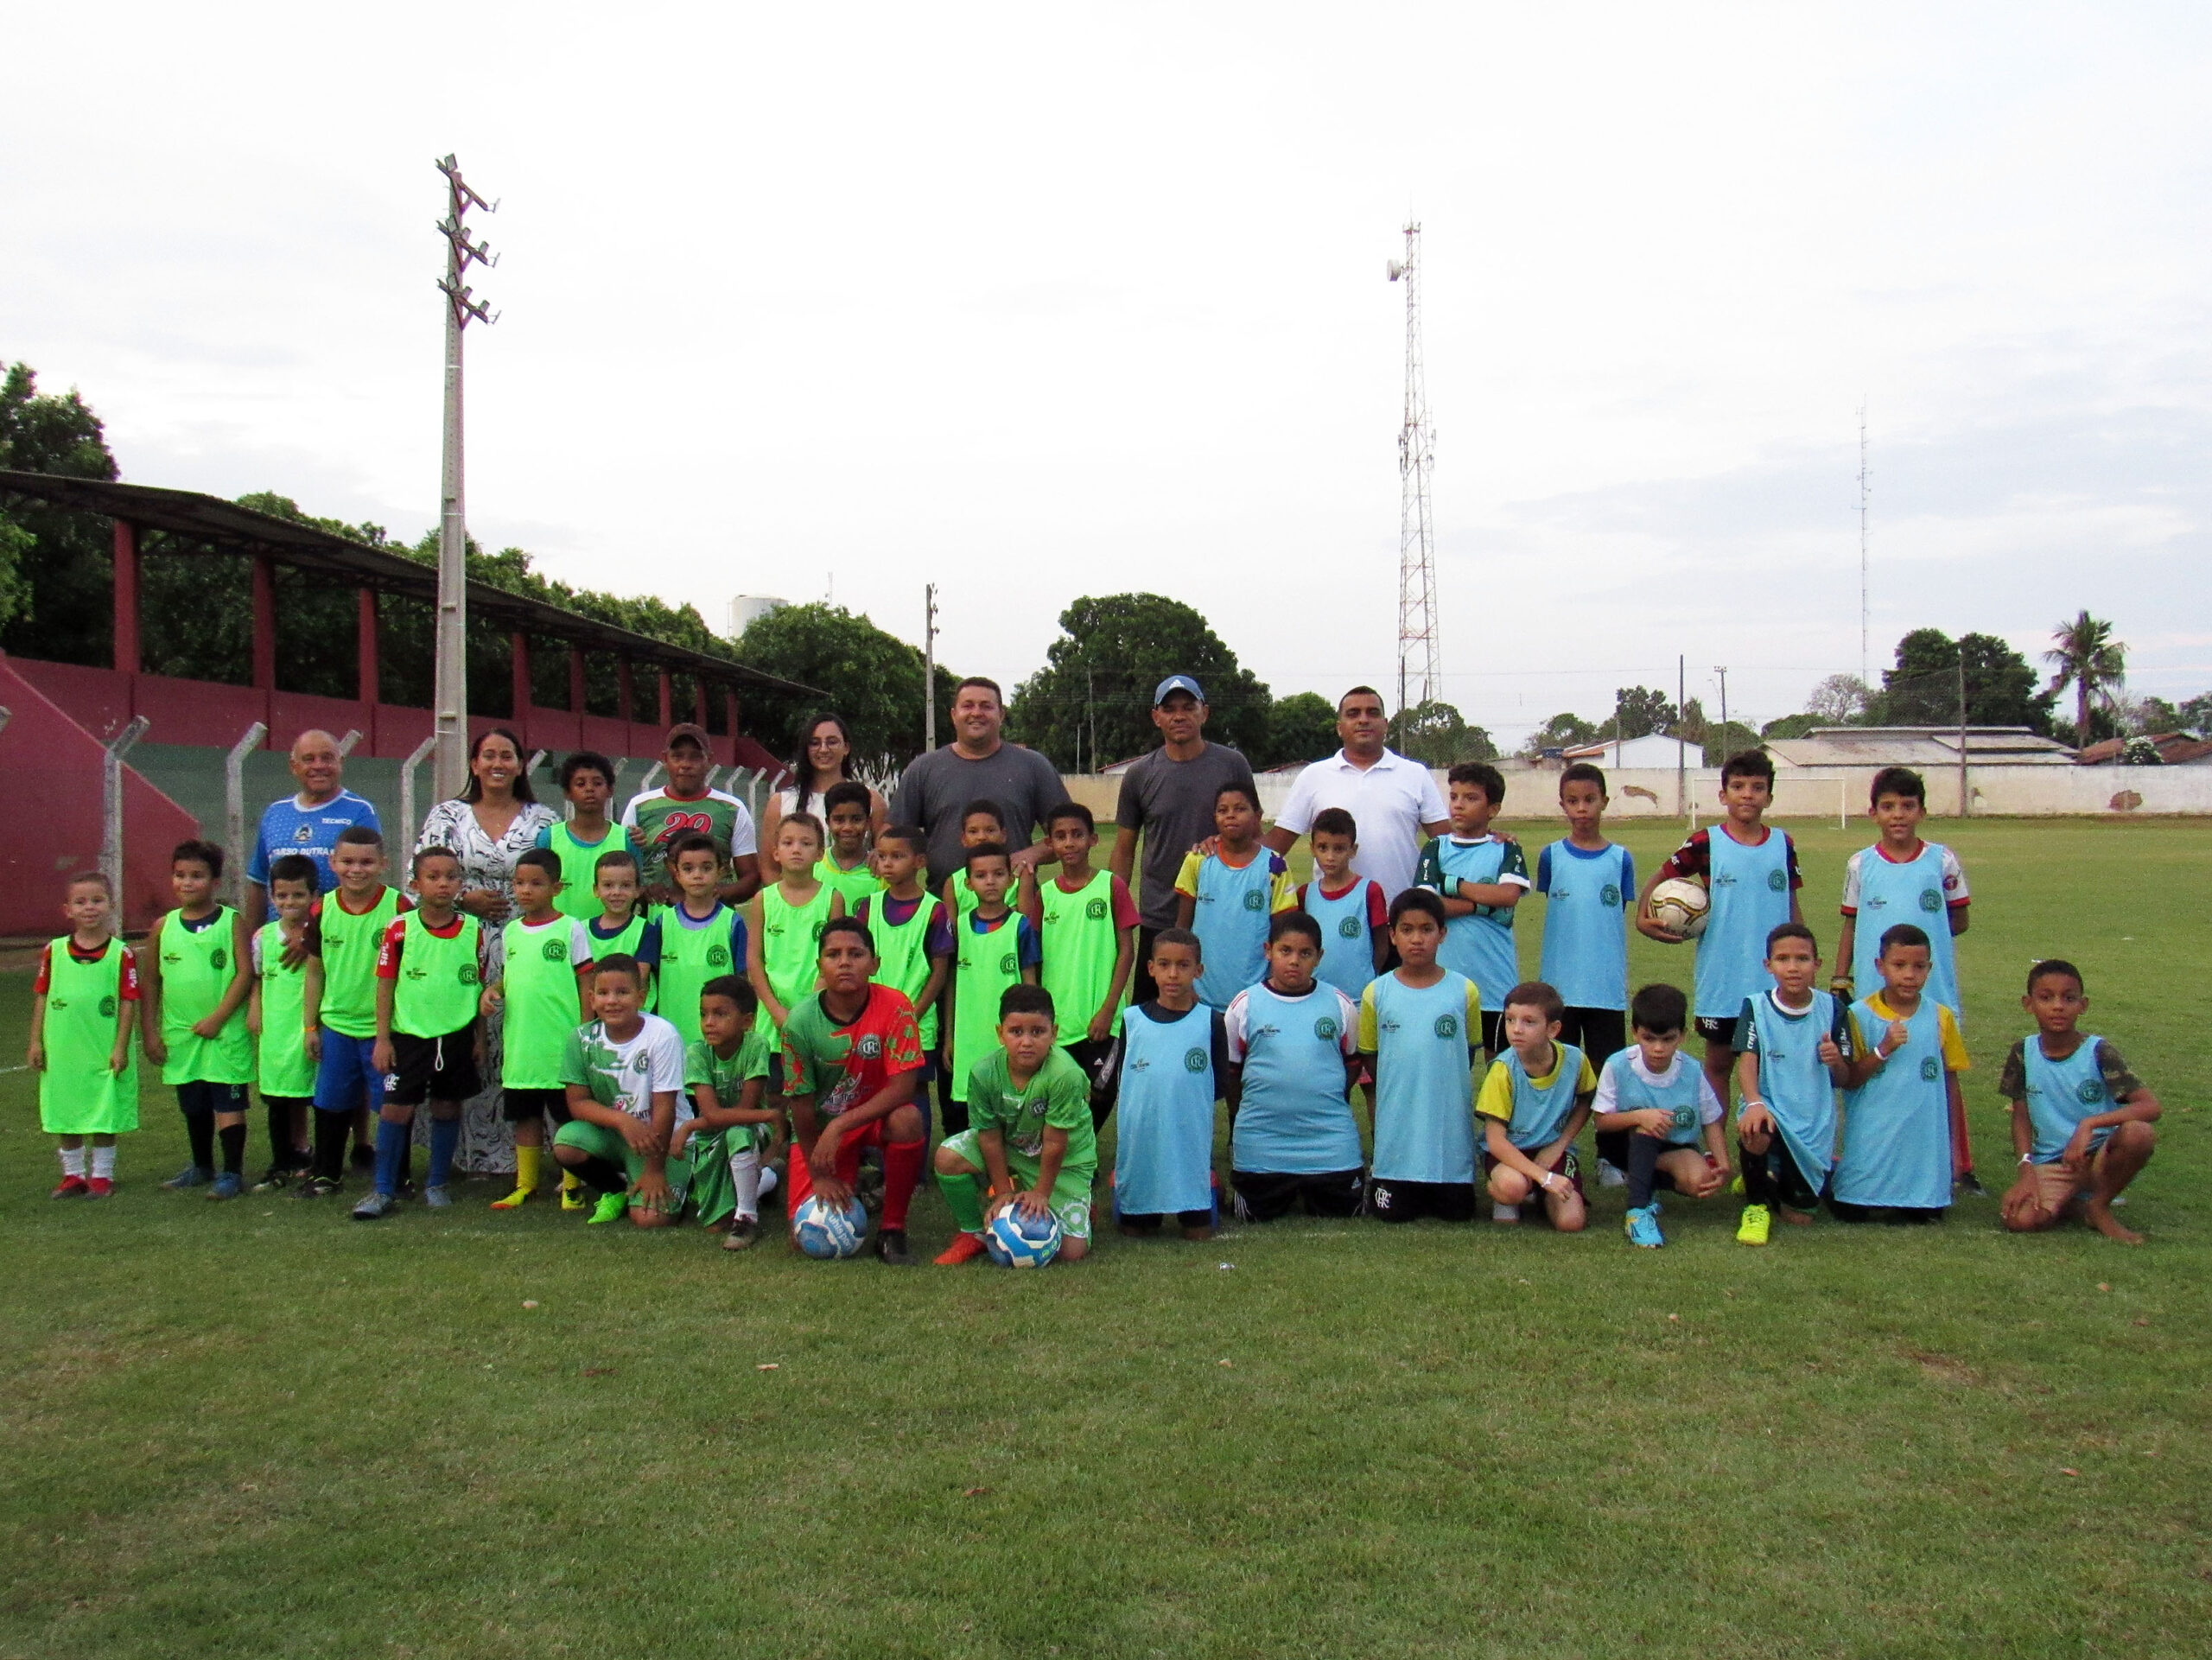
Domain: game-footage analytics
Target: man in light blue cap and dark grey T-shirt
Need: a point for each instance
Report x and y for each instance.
(1169, 800)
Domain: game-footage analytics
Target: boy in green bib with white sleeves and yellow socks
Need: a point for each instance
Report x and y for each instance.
(543, 995)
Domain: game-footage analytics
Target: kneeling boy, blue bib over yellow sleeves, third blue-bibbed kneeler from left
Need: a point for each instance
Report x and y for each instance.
(1421, 1024)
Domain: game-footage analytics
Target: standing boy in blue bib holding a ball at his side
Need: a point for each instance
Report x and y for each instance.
(1753, 884)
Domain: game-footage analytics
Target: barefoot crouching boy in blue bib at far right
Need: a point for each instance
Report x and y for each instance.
(2080, 1119)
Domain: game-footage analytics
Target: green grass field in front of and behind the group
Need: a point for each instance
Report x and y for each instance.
(262, 1429)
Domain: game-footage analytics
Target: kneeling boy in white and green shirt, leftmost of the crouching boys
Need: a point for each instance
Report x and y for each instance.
(625, 1077)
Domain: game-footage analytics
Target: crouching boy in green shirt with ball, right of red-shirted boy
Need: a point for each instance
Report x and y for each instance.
(1032, 1134)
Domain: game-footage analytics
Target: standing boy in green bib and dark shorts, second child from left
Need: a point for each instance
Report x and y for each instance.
(198, 979)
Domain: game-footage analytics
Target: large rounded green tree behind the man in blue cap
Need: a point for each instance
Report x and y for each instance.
(1094, 698)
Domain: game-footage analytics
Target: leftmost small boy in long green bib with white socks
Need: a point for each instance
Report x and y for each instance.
(85, 1006)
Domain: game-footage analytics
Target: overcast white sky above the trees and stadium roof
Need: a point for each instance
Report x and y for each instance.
(1041, 302)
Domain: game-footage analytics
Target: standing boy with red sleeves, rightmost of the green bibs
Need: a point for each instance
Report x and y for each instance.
(1087, 935)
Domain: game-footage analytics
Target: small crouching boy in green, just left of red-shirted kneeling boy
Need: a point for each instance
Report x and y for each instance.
(731, 1132)
